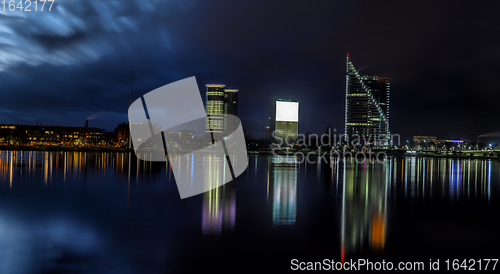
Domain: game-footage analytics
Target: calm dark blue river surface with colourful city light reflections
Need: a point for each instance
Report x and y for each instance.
(75, 212)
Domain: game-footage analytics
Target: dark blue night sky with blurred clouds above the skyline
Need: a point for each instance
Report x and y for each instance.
(73, 63)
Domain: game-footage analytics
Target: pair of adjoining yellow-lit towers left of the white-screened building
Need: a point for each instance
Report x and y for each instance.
(220, 101)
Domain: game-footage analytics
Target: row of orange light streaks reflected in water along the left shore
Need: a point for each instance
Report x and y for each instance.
(70, 166)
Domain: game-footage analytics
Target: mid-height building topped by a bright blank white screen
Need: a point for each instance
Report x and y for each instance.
(285, 120)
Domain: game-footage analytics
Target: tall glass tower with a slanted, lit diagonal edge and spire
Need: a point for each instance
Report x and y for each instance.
(366, 108)
